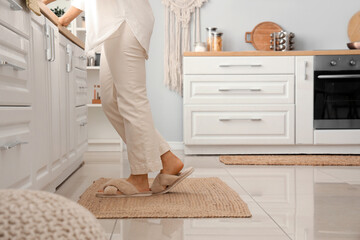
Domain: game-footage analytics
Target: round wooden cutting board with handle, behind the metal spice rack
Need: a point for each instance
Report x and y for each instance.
(260, 35)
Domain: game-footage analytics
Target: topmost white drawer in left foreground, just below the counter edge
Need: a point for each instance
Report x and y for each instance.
(15, 18)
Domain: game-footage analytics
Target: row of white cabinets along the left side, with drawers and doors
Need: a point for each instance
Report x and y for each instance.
(40, 141)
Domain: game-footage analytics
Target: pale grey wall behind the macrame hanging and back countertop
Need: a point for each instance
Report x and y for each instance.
(319, 24)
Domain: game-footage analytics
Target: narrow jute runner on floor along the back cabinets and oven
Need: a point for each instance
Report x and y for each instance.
(305, 160)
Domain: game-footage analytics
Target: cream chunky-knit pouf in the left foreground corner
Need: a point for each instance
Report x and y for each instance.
(27, 214)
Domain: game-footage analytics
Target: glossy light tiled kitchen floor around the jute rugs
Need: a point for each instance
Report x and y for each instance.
(299, 203)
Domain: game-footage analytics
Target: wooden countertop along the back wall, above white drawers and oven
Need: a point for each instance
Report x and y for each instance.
(272, 53)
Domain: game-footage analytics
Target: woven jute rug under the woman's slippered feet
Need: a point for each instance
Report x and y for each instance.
(193, 198)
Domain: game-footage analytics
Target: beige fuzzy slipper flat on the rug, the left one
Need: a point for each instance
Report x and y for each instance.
(112, 188)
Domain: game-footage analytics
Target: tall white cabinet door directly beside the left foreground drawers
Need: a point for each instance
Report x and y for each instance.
(41, 159)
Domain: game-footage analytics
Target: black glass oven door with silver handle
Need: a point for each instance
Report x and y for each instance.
(337, 100)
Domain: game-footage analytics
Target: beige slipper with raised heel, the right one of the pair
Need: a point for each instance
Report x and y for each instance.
(163, 183)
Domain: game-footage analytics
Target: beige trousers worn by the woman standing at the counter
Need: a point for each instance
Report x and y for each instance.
(125, 103)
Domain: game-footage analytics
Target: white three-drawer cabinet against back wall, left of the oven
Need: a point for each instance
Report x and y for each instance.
(238, 101)
